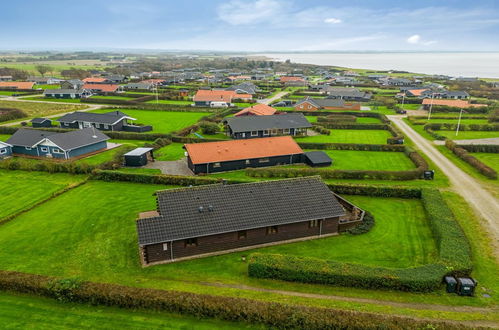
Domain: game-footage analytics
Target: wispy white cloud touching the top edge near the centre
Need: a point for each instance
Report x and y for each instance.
(238, 12)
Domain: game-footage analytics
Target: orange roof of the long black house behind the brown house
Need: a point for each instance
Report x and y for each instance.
(213, 152)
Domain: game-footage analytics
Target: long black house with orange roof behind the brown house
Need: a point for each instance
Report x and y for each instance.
(232, 155)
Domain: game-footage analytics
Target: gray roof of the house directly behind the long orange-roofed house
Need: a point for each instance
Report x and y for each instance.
(257, 123)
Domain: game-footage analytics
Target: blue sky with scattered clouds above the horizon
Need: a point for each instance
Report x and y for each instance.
(251, 25)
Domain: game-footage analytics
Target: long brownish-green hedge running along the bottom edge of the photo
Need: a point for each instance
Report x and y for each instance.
(271, 314)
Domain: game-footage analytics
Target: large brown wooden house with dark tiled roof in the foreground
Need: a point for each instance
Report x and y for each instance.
(220, 218)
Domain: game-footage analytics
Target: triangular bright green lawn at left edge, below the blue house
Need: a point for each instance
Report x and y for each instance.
(22, 189)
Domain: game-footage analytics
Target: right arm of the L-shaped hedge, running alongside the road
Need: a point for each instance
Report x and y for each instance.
(453, 246)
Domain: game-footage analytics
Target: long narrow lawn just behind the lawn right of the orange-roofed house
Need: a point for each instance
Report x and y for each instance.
(349, 136)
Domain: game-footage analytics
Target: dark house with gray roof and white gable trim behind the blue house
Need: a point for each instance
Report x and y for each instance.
(110, 121)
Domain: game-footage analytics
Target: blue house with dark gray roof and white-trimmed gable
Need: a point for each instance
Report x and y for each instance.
(39, 143)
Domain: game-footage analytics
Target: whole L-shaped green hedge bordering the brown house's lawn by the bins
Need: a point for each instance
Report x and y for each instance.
(453, 250)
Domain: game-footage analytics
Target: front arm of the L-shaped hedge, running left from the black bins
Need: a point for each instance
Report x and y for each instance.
(312, 270)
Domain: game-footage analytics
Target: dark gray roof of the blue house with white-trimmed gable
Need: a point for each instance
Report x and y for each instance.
(65, 141)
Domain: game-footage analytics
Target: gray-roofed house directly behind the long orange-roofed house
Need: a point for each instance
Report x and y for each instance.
(246, 127)
